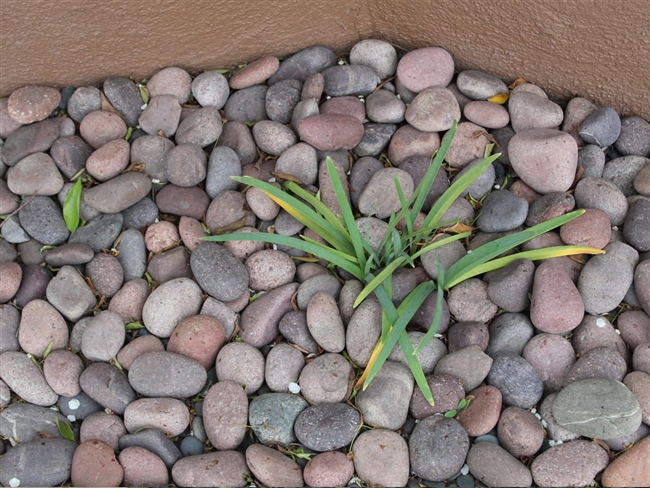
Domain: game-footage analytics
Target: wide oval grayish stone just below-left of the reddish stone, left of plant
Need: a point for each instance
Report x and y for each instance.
(161, 374)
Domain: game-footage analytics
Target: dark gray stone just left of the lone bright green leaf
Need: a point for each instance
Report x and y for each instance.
(42, 219)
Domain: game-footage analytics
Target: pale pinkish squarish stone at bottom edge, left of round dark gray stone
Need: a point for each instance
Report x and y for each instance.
(381, 457)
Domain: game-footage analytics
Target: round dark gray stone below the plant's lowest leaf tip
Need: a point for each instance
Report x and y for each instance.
(438, 447)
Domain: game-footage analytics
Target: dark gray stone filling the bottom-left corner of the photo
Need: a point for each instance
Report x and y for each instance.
(40, 462)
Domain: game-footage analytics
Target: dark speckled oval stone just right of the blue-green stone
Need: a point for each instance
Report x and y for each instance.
(328, 426)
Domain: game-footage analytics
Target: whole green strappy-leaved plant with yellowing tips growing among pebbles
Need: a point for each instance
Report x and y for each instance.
(350, 251)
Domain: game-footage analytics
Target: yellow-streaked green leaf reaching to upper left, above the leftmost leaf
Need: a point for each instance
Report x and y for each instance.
(299, 211)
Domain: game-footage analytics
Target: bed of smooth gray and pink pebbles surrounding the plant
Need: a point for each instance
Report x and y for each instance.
(134, 352)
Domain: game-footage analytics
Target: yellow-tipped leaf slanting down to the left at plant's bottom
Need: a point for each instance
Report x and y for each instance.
(404, 313)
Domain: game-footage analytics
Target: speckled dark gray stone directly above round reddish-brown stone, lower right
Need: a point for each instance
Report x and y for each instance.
(516, 379)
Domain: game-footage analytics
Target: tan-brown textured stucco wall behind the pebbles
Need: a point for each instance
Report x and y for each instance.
(599, 49)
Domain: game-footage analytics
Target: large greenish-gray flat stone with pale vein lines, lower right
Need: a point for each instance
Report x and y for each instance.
(597, 408)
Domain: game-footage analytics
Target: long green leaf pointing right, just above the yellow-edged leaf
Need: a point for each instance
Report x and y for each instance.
(501, 245)
